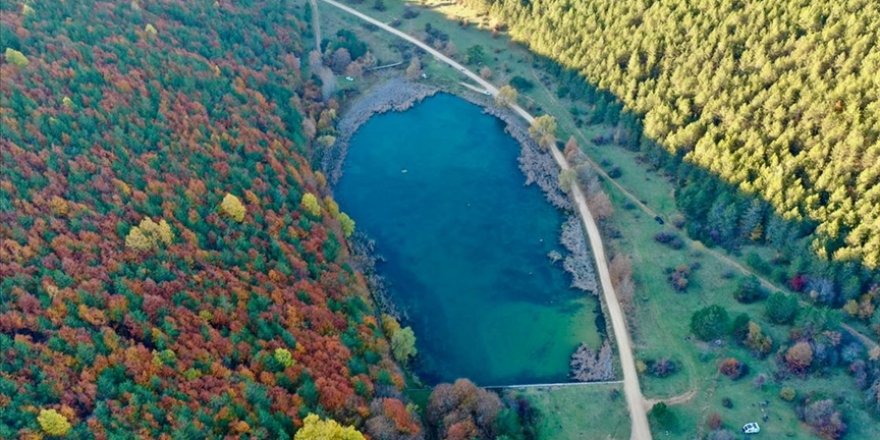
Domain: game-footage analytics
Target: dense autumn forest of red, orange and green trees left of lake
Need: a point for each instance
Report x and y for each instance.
(165, 270)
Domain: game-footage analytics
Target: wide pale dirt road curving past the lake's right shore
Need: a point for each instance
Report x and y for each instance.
(635, 401)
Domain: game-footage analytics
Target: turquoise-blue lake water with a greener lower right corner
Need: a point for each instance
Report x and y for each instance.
(439, 189)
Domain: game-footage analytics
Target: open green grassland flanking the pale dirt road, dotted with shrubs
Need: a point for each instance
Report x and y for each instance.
(662, 315)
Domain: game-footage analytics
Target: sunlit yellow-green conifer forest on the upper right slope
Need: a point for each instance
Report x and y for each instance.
(778, 99)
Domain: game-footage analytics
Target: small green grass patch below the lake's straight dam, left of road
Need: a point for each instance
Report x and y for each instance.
(581, 412)
